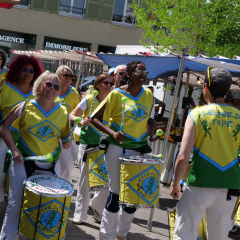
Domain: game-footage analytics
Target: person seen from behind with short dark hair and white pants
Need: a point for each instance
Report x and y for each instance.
(214, 179)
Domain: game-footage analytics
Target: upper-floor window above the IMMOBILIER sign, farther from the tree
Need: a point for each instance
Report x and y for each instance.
(72, 7)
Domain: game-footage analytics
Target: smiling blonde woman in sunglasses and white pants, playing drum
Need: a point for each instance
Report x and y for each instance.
(41, 123)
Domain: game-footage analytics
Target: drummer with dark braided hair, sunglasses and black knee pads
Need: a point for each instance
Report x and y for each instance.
(139, 113)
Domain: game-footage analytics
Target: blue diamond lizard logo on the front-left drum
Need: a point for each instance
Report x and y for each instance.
(51, 219)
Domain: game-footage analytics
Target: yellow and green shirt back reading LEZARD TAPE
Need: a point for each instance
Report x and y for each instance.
(214, 162)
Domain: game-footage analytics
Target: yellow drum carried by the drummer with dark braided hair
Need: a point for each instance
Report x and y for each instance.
(139, 181)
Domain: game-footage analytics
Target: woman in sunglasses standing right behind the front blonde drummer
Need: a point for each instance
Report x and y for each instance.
(69, 98)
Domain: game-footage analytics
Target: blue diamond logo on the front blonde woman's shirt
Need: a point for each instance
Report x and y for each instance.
(44, 130)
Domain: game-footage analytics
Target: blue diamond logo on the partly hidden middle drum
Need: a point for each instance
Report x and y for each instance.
(99, 169)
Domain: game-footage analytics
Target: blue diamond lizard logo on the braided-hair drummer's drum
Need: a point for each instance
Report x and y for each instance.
(146, 184)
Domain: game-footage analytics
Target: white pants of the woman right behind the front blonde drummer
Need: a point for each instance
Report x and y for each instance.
(66, 163)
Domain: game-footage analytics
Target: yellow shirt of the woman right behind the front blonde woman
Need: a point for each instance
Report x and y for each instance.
(70, 100)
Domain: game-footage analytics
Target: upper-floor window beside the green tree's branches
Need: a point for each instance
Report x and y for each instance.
(123, 12)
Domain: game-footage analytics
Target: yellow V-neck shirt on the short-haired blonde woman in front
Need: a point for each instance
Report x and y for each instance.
(40, 131)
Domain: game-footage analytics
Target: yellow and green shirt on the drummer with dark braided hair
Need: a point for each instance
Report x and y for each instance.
(137, 112)
